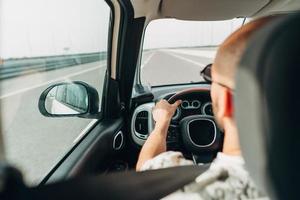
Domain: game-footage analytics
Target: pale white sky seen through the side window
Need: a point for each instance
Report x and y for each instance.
(31, 28)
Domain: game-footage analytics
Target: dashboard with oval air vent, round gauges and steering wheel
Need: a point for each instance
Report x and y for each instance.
(192, 128)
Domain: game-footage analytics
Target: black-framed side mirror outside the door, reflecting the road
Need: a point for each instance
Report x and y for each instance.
(70, 99)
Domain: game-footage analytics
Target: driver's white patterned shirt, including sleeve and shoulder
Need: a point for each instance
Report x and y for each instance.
(225, 179)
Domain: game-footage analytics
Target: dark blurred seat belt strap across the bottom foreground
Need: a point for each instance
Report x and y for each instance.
(146, 185)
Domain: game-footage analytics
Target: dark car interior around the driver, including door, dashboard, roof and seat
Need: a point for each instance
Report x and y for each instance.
(266, 100)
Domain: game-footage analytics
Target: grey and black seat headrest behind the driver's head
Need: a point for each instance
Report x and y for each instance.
(267, 107)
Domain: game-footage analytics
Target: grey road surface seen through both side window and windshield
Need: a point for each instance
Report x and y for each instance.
(35, 143)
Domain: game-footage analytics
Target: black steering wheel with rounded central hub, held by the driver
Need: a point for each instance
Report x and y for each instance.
(199, 133)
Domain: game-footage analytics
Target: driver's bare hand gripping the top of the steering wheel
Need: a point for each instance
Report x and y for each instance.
(163, 112)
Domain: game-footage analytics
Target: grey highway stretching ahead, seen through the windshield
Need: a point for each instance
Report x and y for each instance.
(175, 66)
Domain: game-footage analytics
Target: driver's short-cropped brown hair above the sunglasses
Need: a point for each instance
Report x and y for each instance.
(232, 49)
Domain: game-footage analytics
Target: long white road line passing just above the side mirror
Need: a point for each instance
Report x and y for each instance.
(49, 82)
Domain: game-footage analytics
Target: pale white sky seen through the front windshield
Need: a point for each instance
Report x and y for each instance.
(176, 33)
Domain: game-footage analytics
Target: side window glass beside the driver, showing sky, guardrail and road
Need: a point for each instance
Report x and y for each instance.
(43, 43)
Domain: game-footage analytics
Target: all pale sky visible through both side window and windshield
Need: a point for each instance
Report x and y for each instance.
(32, 28)
